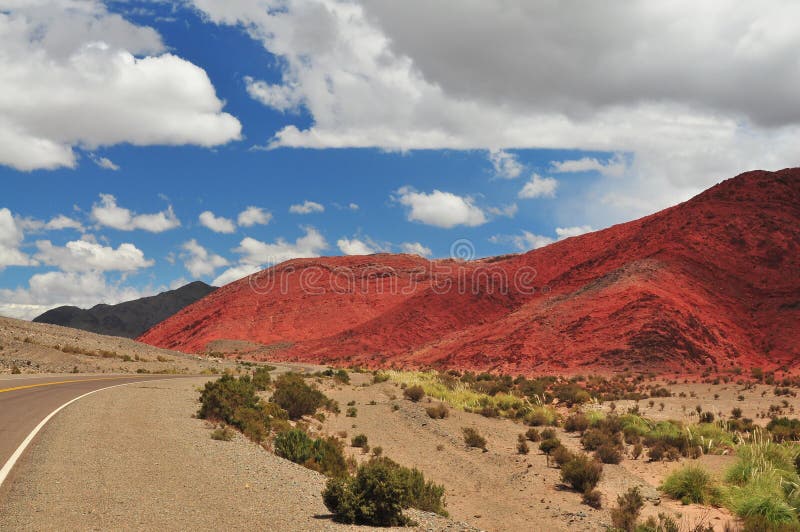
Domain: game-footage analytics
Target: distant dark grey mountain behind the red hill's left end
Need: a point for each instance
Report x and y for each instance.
(131, 318)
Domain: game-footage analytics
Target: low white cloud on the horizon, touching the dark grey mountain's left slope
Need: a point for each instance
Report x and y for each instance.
(53, 289)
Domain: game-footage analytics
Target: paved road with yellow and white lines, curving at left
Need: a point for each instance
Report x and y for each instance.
(26, 401)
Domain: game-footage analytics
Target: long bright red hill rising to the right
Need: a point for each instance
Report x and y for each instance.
(711, 283)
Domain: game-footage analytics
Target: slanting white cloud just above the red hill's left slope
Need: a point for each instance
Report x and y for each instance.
(256, 255)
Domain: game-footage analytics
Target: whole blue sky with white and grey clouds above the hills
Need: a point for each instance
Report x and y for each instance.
(179, 109)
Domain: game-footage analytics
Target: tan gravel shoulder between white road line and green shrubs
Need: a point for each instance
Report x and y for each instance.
(135, 458)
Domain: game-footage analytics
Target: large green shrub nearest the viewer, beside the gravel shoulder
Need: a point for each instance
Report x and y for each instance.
(379, 492)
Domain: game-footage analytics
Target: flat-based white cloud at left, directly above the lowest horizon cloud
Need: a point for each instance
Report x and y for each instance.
(86, 255)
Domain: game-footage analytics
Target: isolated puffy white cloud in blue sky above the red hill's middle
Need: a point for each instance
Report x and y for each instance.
(441, 209)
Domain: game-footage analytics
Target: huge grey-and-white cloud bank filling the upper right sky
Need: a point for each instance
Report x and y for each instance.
(730, 103)
